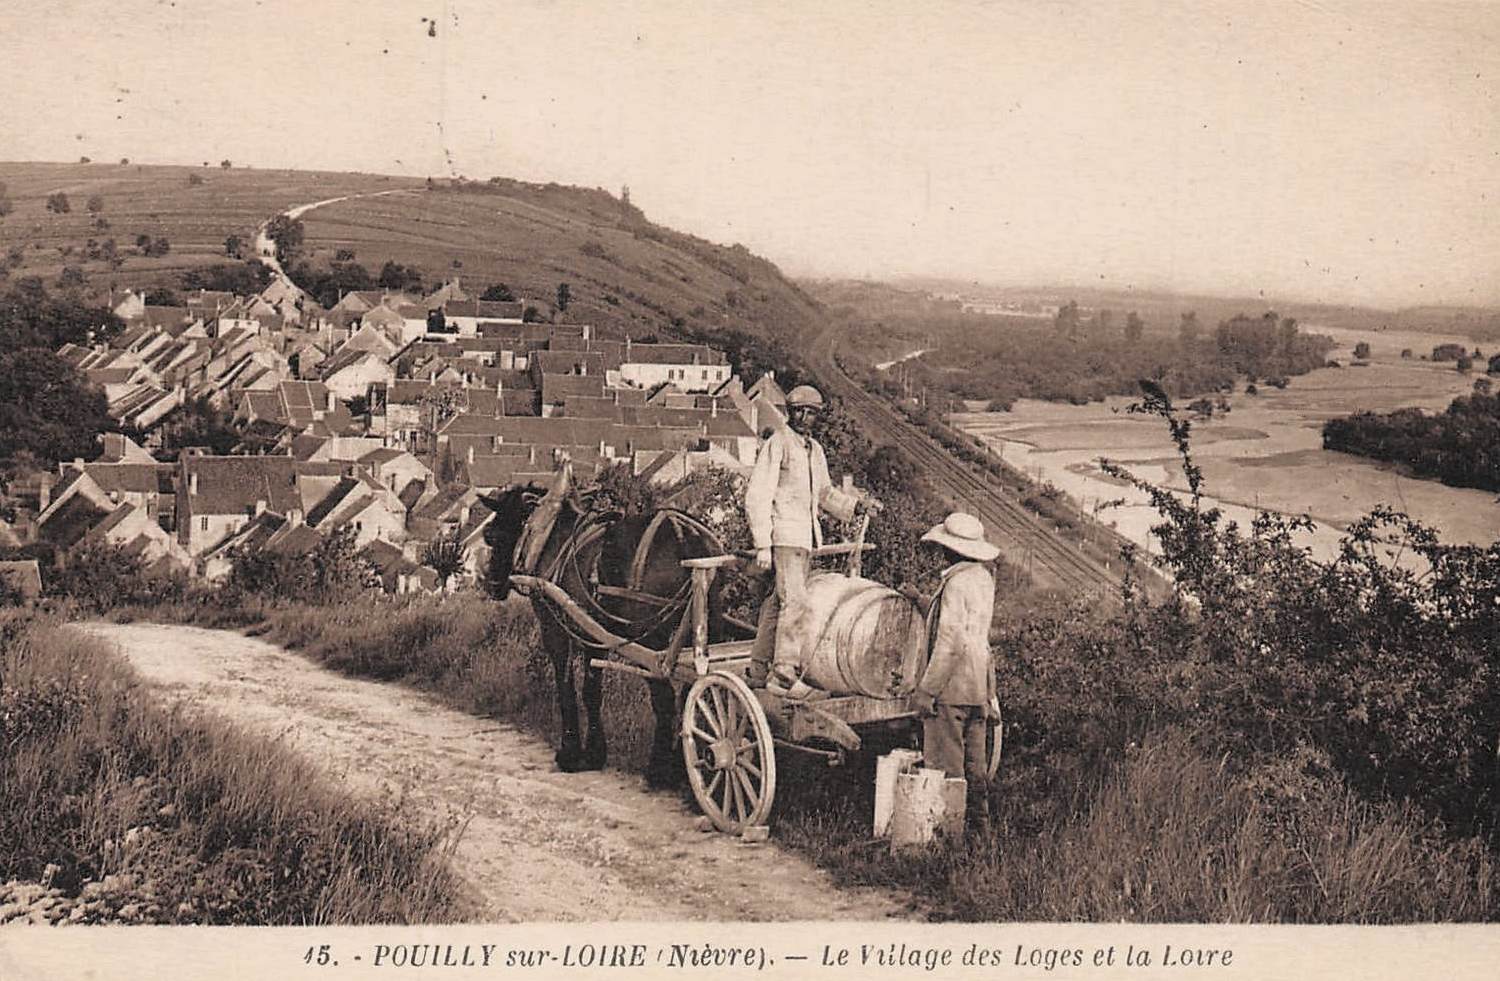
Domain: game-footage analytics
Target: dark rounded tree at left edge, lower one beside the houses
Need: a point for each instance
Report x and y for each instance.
(47, 409)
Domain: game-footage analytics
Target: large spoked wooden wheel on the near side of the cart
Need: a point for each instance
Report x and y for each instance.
(731, 758)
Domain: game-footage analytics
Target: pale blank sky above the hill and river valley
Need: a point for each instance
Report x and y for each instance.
(1304, 151)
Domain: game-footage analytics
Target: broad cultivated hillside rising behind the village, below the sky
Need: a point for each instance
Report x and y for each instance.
(622, 269)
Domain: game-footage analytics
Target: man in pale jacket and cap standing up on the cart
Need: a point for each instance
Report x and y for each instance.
(788, 488)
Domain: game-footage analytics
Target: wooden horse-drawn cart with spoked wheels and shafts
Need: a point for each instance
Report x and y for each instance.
(731, 731)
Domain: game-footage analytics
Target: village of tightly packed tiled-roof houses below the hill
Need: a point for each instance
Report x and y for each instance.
(391, 416)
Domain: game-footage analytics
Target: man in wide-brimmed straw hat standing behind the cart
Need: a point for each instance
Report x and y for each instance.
(956, 695)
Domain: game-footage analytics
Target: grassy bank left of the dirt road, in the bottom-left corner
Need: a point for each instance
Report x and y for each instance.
(115, 809)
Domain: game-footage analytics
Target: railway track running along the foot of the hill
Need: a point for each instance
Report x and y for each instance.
(1025, 542)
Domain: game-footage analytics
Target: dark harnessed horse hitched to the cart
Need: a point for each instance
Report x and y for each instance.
(565, 536)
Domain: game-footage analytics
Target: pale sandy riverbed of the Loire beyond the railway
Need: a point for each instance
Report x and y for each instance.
(1265, 454)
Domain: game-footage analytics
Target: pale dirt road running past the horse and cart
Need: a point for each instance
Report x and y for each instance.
(539, 845)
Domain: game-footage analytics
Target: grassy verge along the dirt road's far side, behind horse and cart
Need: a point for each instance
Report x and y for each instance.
(1103, 814)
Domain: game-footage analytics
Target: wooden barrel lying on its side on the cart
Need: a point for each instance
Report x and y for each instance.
(863, 638)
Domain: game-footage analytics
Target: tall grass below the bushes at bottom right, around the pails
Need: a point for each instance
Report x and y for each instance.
(1172, 836)
